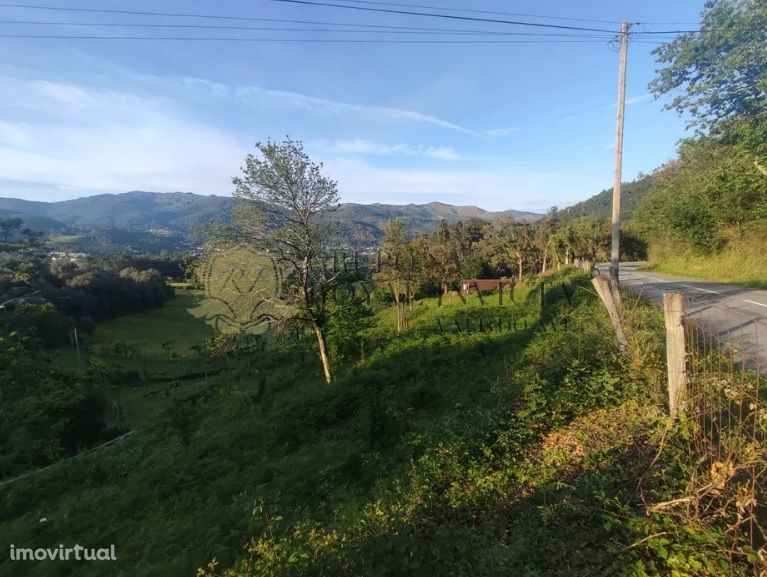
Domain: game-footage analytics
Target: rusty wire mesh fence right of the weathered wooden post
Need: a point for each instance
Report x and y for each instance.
(726, 406)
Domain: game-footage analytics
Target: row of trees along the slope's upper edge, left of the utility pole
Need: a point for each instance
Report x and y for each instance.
(435, 263)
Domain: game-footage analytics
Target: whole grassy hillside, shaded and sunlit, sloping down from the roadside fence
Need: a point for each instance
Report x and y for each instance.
(445, 450)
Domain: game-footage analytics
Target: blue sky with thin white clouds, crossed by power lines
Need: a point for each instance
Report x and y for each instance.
(523, 126)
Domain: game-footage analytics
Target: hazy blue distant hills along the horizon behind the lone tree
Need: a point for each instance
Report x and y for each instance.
(146, 220)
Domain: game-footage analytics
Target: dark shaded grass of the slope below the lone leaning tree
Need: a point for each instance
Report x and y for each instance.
(170, 508)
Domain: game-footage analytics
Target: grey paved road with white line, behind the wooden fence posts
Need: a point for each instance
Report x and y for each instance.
(737, 315)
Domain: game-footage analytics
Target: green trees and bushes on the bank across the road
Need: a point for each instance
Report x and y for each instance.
(705, 202)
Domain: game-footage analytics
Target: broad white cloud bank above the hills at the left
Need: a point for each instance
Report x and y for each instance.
(72, 137)
